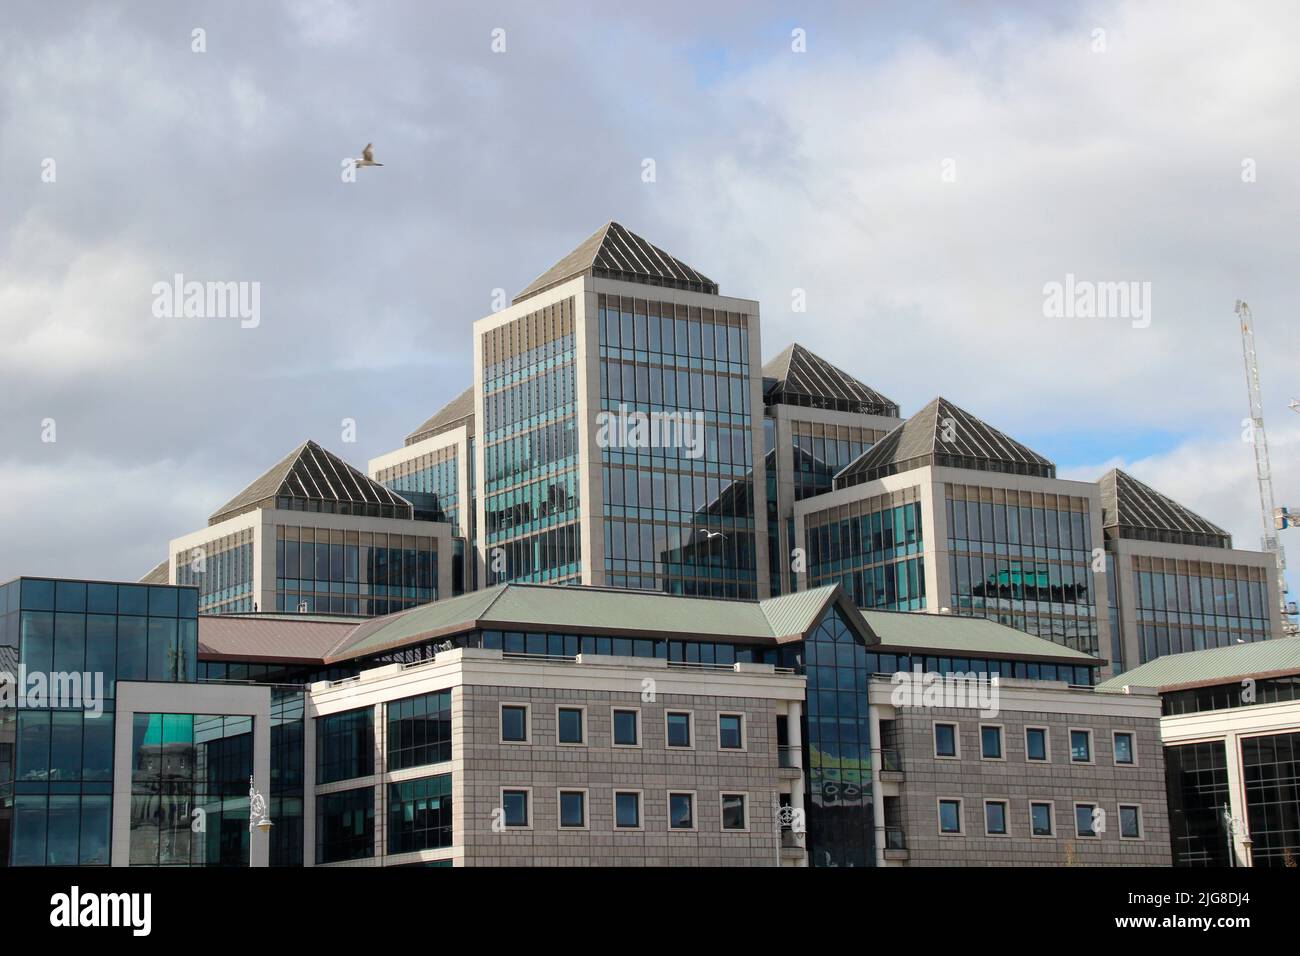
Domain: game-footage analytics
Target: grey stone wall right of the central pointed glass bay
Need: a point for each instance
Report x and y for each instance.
(928, 780)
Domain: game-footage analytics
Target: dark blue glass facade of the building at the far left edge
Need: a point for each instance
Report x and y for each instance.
(57, 773)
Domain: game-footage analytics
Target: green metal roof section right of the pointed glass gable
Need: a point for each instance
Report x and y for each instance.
(967, 637)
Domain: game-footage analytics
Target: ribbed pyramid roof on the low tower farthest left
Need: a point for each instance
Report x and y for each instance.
(313, 474)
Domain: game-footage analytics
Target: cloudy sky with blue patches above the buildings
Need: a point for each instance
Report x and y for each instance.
(921, 174)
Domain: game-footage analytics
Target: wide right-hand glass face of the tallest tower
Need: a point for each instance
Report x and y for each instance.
(679, 520)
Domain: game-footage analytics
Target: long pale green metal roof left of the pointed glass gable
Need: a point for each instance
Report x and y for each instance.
(580, 609)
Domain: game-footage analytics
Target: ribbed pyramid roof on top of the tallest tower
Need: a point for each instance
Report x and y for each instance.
(614, 252)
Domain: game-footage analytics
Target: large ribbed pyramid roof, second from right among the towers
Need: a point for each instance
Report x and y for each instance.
(944, 435)
